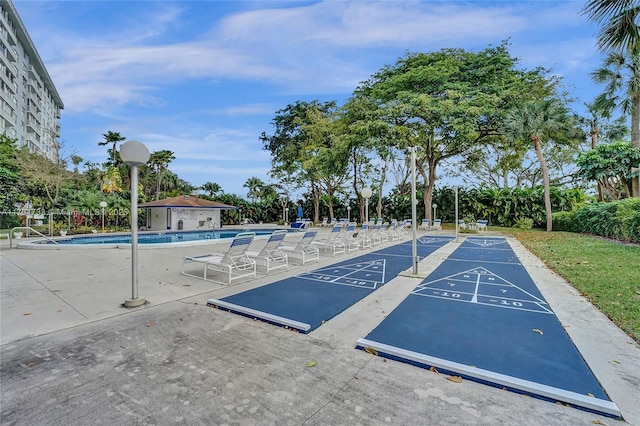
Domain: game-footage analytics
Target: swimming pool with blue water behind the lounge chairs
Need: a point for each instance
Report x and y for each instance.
(145, 239)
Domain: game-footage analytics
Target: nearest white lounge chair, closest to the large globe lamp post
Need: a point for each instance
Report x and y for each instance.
(233, 263)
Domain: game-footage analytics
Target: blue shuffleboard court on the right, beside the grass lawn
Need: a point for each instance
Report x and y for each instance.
(479, 315)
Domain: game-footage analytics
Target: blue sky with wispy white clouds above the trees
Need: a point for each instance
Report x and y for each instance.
(205, 79)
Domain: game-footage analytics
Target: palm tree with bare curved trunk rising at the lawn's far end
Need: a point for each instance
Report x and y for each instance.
(538, 122)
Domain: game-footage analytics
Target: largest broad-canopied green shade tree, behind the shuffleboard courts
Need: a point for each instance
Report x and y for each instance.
(449, 103)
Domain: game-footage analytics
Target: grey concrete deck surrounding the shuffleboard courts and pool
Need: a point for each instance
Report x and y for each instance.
(71, 354)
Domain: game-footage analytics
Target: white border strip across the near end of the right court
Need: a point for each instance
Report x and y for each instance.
(597, 405)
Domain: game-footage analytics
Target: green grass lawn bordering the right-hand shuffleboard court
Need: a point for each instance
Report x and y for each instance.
(605, 272)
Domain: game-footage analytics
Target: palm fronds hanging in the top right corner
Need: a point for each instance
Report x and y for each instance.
(619, 19)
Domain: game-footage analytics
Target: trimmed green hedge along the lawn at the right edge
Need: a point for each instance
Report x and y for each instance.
(616, 219)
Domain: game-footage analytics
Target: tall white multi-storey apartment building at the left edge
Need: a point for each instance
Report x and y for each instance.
(30, 110)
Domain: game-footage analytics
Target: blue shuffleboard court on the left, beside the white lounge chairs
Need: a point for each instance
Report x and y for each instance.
(305, 301)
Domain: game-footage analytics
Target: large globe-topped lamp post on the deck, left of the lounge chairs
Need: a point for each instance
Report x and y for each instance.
(135, 154)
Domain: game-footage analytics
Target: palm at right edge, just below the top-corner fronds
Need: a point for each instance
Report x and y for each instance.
(620, 73)
